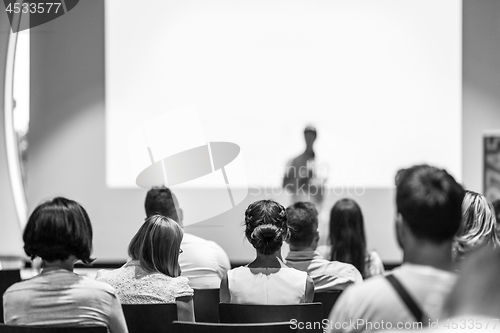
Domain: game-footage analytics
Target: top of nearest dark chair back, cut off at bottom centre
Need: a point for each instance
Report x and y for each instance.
(187, 327)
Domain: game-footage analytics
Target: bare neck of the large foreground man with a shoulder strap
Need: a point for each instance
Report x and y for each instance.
(437, 255)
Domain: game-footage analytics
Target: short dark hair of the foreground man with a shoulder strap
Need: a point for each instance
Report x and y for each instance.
(430, 202)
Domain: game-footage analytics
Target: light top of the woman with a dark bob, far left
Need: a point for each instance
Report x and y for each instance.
(58, 297)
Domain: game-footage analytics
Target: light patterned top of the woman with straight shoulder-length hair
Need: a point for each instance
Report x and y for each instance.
(134, 285)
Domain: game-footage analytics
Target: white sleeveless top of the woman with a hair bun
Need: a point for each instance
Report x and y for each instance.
(266, 285)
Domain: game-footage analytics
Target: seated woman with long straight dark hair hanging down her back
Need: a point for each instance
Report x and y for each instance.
(347, 242)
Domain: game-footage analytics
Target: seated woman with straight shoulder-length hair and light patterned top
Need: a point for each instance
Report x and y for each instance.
(153, 274)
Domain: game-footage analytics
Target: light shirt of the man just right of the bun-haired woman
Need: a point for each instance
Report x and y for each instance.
(327, 275)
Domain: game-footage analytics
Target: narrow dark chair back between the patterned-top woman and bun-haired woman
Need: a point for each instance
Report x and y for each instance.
(206, 305)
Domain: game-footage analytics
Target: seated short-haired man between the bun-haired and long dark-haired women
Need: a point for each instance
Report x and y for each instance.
(327, 275)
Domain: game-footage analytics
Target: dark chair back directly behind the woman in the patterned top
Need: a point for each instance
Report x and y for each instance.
(152, 318)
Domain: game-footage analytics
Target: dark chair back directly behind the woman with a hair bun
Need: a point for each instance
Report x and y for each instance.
(253, 313)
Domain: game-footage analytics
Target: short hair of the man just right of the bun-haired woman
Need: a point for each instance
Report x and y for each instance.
(303, 222)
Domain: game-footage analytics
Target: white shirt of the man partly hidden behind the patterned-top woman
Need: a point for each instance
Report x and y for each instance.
(203, 262)
